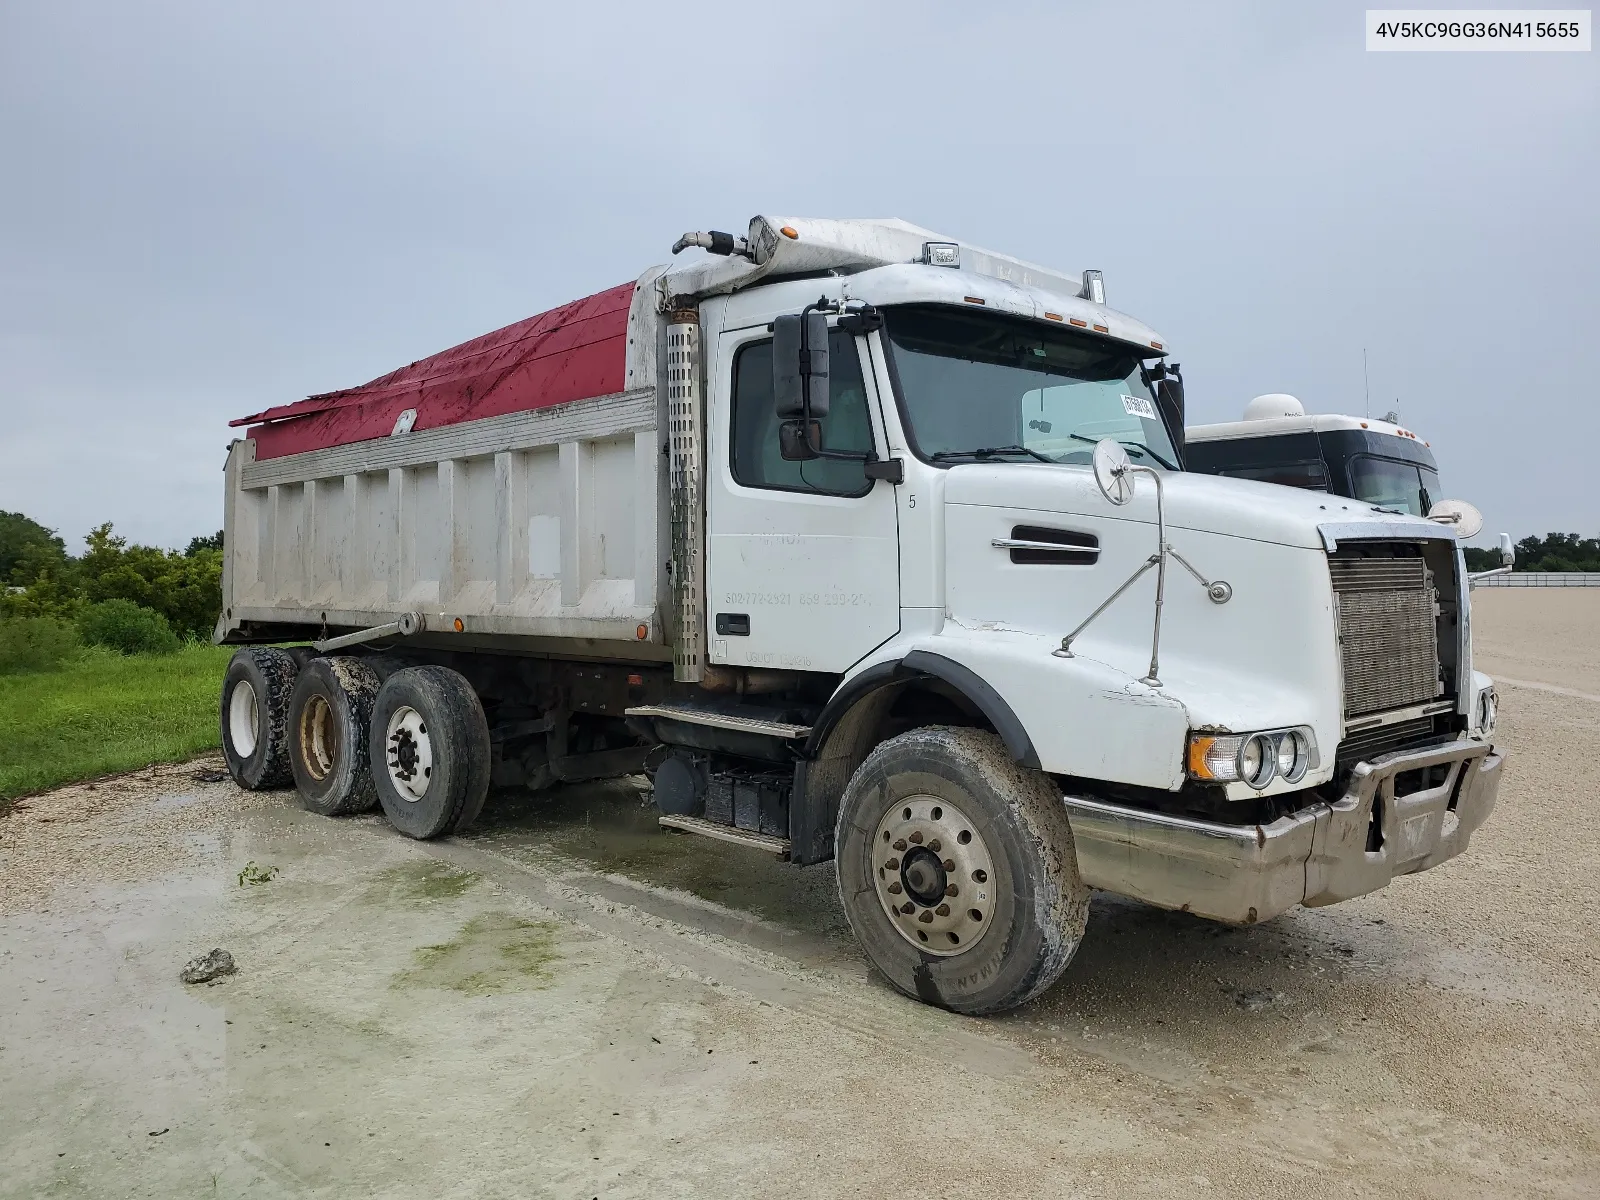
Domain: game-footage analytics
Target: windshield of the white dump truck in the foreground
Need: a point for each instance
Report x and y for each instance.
(982, 386)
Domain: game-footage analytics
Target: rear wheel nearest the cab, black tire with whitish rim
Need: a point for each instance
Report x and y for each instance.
(430, 751)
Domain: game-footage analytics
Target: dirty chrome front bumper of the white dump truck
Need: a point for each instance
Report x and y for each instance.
(1402, 814)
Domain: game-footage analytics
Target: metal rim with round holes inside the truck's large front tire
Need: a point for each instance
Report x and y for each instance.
(934, 876)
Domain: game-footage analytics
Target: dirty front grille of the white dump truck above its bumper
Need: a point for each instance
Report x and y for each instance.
(1388, 631)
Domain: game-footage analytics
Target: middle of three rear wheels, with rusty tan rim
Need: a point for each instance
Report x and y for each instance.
(330, 719)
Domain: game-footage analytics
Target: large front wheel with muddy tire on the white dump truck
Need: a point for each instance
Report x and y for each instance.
(958, 871)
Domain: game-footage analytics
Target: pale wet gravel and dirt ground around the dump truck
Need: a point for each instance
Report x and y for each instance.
(572, 1004)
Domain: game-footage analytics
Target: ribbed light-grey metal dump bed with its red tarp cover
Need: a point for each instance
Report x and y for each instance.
(513, 484)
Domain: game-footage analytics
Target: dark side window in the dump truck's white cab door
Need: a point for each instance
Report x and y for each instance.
(758, 460)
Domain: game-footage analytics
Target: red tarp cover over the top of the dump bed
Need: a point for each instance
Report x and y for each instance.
(574, 353)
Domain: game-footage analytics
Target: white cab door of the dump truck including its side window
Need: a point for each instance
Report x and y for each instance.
(802, 558)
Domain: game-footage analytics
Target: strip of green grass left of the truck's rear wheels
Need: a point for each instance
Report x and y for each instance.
(105, 713)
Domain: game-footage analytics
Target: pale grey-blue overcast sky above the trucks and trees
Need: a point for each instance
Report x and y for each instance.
(212, 209)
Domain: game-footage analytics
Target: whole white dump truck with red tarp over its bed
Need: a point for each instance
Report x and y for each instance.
(870, 546)
